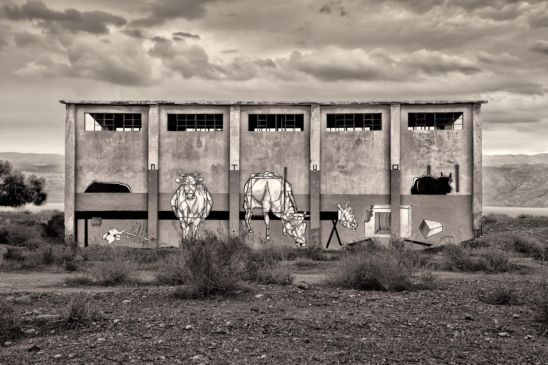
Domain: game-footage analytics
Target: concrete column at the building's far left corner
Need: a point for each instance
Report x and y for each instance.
(70, 175)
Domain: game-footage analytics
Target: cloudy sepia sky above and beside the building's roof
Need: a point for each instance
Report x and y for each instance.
(274, 50)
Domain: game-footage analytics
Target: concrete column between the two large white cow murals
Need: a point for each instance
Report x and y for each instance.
(234, 173)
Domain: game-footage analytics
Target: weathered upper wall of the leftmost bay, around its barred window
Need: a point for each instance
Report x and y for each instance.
(109, 155)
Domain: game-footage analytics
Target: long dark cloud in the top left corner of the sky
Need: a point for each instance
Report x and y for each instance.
(95, 22)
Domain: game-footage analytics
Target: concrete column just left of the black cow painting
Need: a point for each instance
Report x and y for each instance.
(395, 170)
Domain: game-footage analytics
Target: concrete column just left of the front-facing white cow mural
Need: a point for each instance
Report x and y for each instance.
(153, 174)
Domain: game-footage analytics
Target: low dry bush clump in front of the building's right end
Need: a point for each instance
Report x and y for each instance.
(488, 259)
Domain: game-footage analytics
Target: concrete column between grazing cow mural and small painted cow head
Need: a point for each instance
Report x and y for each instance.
(314, 177)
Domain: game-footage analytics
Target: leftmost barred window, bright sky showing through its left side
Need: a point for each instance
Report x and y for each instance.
(119, 122)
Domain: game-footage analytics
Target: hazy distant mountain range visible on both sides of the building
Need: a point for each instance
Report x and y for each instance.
(508, 180)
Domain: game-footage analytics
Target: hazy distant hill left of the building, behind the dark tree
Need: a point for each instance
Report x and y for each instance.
(49, 166)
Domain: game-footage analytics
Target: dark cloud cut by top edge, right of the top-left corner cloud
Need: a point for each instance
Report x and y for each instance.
(160, 12)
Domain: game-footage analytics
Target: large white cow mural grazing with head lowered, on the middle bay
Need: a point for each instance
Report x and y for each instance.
(274, 194)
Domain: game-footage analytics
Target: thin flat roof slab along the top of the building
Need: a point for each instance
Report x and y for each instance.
(271, 103)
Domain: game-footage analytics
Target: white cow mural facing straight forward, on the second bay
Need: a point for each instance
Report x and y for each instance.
(191, 203)
